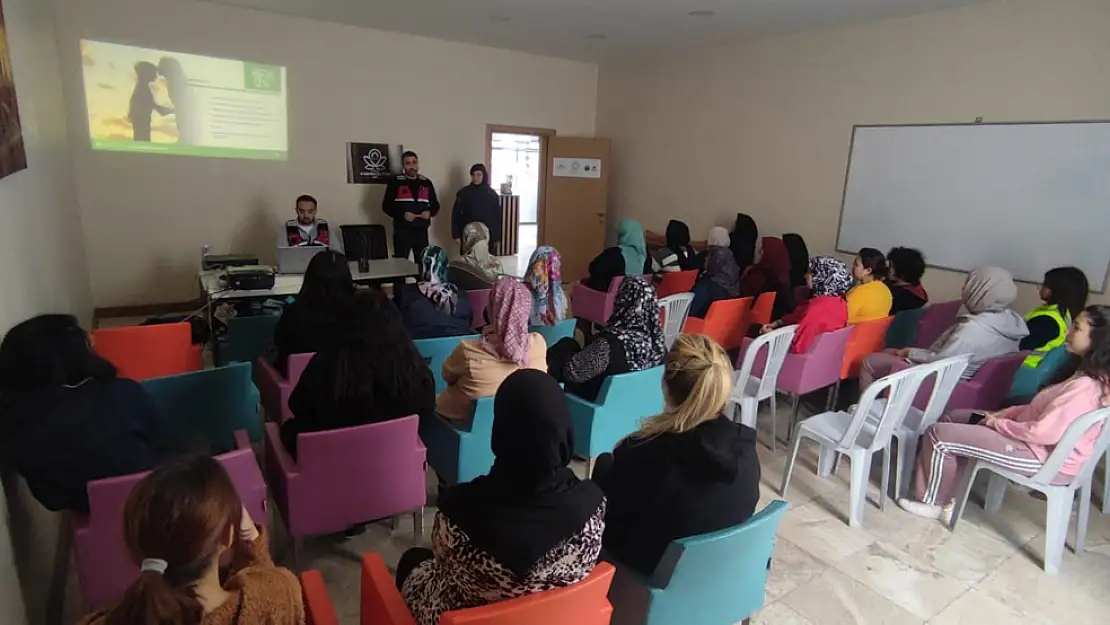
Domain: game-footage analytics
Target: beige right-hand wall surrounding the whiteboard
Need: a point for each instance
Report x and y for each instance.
(764, 128)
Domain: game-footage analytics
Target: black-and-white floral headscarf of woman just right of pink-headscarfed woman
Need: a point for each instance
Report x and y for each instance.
(635, 322)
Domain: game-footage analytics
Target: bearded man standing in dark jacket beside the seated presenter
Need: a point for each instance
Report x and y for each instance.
(411, 201)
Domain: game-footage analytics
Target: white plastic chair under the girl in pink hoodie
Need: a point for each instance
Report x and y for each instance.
(1061, 497)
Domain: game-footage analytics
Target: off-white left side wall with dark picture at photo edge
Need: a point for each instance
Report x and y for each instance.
(43, 269)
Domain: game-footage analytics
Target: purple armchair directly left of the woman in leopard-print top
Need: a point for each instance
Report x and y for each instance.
(347, 477)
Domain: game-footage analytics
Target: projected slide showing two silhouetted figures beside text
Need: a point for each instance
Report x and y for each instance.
(162, 103)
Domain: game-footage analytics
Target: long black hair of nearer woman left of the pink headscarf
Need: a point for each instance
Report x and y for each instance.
(378, 358)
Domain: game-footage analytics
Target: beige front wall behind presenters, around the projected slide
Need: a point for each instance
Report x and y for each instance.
(146, 217)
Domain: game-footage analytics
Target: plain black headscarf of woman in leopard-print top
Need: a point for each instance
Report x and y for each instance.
(531, 501)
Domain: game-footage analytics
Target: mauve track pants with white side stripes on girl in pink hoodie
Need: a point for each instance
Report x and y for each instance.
(947, 447)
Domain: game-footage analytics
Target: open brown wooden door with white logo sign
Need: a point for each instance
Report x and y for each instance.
(577, 204)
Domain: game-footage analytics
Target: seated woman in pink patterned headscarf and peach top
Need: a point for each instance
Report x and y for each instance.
(476, 369)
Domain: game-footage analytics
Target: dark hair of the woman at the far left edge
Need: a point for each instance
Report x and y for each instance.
(48, 352)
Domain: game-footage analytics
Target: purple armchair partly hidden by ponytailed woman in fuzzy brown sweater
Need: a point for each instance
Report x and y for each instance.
(104, 567)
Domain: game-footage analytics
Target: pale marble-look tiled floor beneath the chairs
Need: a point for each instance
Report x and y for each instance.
(896, 570)
